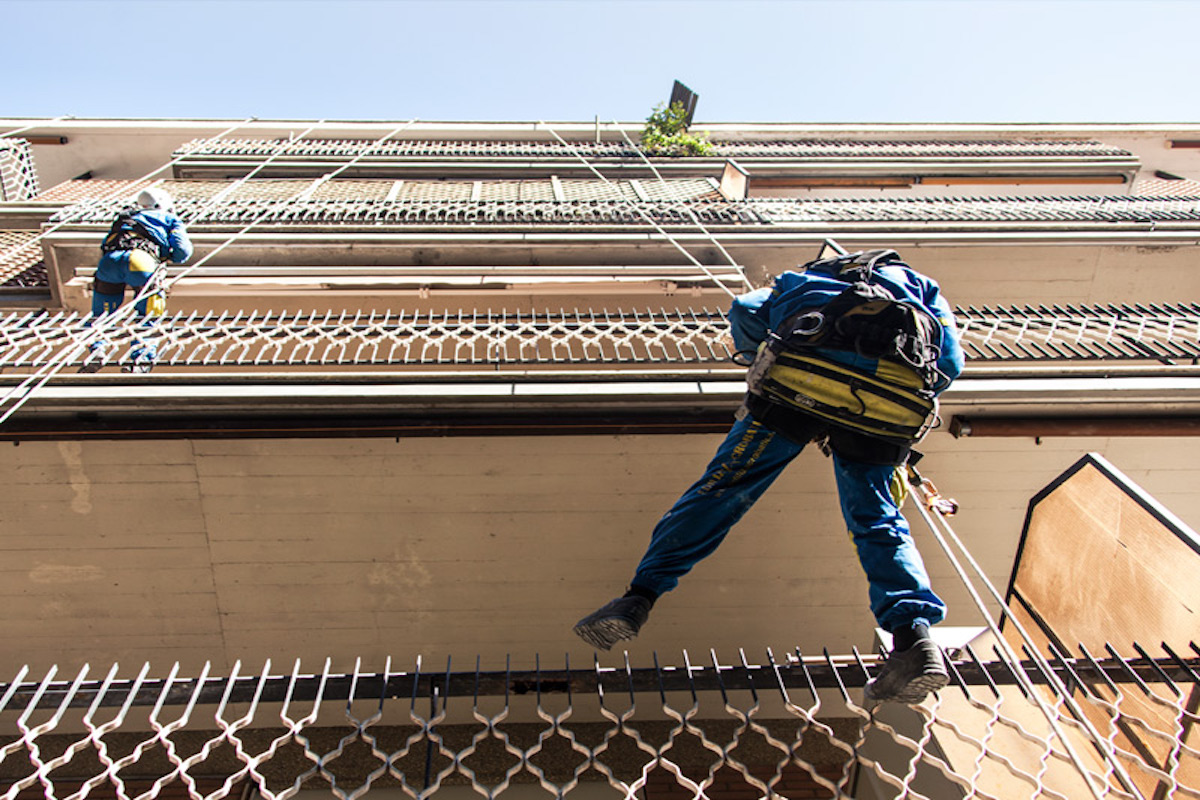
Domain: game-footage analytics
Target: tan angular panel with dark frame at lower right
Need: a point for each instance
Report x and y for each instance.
(1101, 563)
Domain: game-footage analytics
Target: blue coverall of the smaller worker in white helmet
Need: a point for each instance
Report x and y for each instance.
(135, 268)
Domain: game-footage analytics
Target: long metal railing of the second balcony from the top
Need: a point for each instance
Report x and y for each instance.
(595, 203)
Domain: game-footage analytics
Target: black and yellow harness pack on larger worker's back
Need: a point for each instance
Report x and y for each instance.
(897, 404)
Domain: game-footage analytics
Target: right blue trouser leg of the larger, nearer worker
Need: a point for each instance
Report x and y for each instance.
(901, 592)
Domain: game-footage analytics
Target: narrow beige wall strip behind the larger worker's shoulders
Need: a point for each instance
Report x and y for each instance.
(970, 275)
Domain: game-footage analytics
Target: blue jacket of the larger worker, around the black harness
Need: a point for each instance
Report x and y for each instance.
(754, 315)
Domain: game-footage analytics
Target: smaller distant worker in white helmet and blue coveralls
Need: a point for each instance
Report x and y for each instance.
(142, 239)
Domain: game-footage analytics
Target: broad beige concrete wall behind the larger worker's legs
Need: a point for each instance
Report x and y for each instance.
(281, 549)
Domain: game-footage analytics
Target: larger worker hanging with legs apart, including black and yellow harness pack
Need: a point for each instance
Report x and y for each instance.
(850, 352)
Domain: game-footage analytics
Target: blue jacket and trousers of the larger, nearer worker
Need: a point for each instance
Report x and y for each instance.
(753, 456)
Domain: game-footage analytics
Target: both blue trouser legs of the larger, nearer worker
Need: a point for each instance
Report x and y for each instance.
(749, 460)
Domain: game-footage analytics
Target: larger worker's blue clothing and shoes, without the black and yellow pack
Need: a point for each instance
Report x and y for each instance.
(868, 470)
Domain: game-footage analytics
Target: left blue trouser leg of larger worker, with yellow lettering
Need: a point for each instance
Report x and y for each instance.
(749, 460)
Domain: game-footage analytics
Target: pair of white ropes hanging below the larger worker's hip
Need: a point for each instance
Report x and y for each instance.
(1009, 654)
